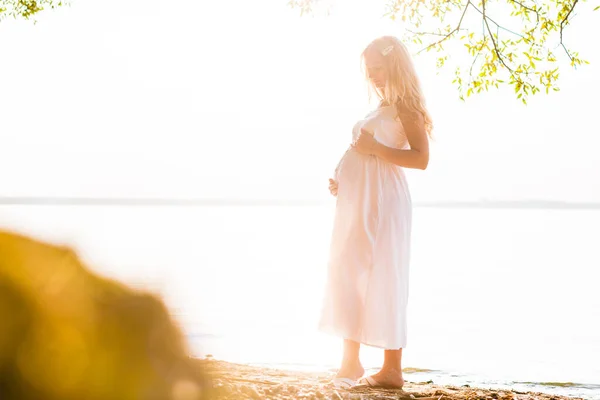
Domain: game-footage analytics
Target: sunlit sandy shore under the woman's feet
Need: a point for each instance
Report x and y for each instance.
(235, 381)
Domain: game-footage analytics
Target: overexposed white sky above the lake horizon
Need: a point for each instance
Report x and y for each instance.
(245, 99)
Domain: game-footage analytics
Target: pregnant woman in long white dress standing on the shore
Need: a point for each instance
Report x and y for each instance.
(367, 287)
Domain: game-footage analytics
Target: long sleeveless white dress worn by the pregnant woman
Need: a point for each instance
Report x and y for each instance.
(366, 293)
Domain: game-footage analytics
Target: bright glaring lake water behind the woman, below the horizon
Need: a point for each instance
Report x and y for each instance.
(498, 296)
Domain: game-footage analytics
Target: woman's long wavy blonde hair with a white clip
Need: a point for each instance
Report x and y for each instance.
(402, 88)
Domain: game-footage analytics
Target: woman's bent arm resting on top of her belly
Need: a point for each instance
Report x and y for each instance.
(416, 157)
